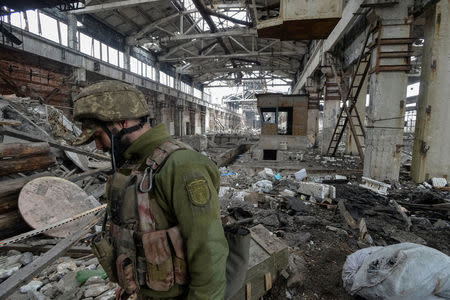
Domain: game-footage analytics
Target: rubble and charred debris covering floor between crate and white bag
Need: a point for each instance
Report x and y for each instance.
(314, 217)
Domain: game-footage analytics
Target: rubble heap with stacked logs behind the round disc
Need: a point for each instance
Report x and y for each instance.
(37, 144)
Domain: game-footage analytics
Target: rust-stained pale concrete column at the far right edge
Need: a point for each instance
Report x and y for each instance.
(431, 144)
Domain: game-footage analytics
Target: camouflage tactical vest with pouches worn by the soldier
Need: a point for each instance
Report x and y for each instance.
(140, 250)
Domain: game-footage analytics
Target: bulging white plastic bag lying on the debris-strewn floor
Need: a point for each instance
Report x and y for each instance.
(402, 271)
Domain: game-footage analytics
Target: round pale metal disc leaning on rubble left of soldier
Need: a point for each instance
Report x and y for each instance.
(47, 200)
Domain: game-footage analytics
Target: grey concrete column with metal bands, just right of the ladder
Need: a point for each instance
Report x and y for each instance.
(384, 135)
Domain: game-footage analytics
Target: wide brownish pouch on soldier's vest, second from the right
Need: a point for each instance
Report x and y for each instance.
(160, 275)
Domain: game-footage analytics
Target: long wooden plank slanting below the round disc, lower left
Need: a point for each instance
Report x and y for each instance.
(24, 274)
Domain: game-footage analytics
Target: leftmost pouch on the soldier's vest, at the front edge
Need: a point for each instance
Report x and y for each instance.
(104, 251)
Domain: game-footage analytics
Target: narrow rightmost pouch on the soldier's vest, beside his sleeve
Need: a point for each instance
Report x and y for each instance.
(179, 259)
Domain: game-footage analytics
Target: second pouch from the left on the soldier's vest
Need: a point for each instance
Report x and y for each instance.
(126, 259)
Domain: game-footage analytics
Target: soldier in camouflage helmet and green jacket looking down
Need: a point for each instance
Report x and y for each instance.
(165, 238)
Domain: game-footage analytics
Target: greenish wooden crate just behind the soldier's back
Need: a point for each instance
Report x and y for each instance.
(268, 256)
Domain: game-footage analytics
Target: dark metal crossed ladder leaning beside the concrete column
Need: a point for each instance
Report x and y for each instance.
(349, 115)
